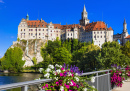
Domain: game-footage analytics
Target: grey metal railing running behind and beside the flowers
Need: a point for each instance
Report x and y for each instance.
(102, 82)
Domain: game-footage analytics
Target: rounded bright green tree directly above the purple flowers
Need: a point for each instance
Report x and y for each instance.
(62, 55)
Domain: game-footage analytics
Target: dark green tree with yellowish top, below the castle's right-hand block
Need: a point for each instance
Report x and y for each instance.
(88, 56)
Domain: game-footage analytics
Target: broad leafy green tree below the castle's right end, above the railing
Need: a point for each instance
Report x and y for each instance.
(111, 54)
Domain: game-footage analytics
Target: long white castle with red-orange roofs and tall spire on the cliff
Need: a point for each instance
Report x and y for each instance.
(84, 32)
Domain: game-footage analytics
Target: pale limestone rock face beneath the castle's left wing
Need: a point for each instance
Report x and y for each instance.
(30, 49)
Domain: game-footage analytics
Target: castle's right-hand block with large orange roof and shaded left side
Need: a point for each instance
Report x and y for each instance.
(98, 32)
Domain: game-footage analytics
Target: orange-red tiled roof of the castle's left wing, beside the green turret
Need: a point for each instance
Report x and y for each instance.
(36, 23)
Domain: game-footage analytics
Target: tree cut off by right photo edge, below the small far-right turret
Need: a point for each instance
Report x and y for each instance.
(126, 49)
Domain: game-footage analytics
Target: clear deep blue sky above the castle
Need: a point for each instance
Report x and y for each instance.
(65, 11)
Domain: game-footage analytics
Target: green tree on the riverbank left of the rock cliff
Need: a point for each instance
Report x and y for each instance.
(13, 60)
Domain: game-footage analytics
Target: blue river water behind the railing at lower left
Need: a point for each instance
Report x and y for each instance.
(17, 77)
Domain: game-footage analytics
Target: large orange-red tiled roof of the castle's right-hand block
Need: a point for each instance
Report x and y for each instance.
(96, 26)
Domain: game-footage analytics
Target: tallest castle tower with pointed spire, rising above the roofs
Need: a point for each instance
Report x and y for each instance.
(84, 19)
